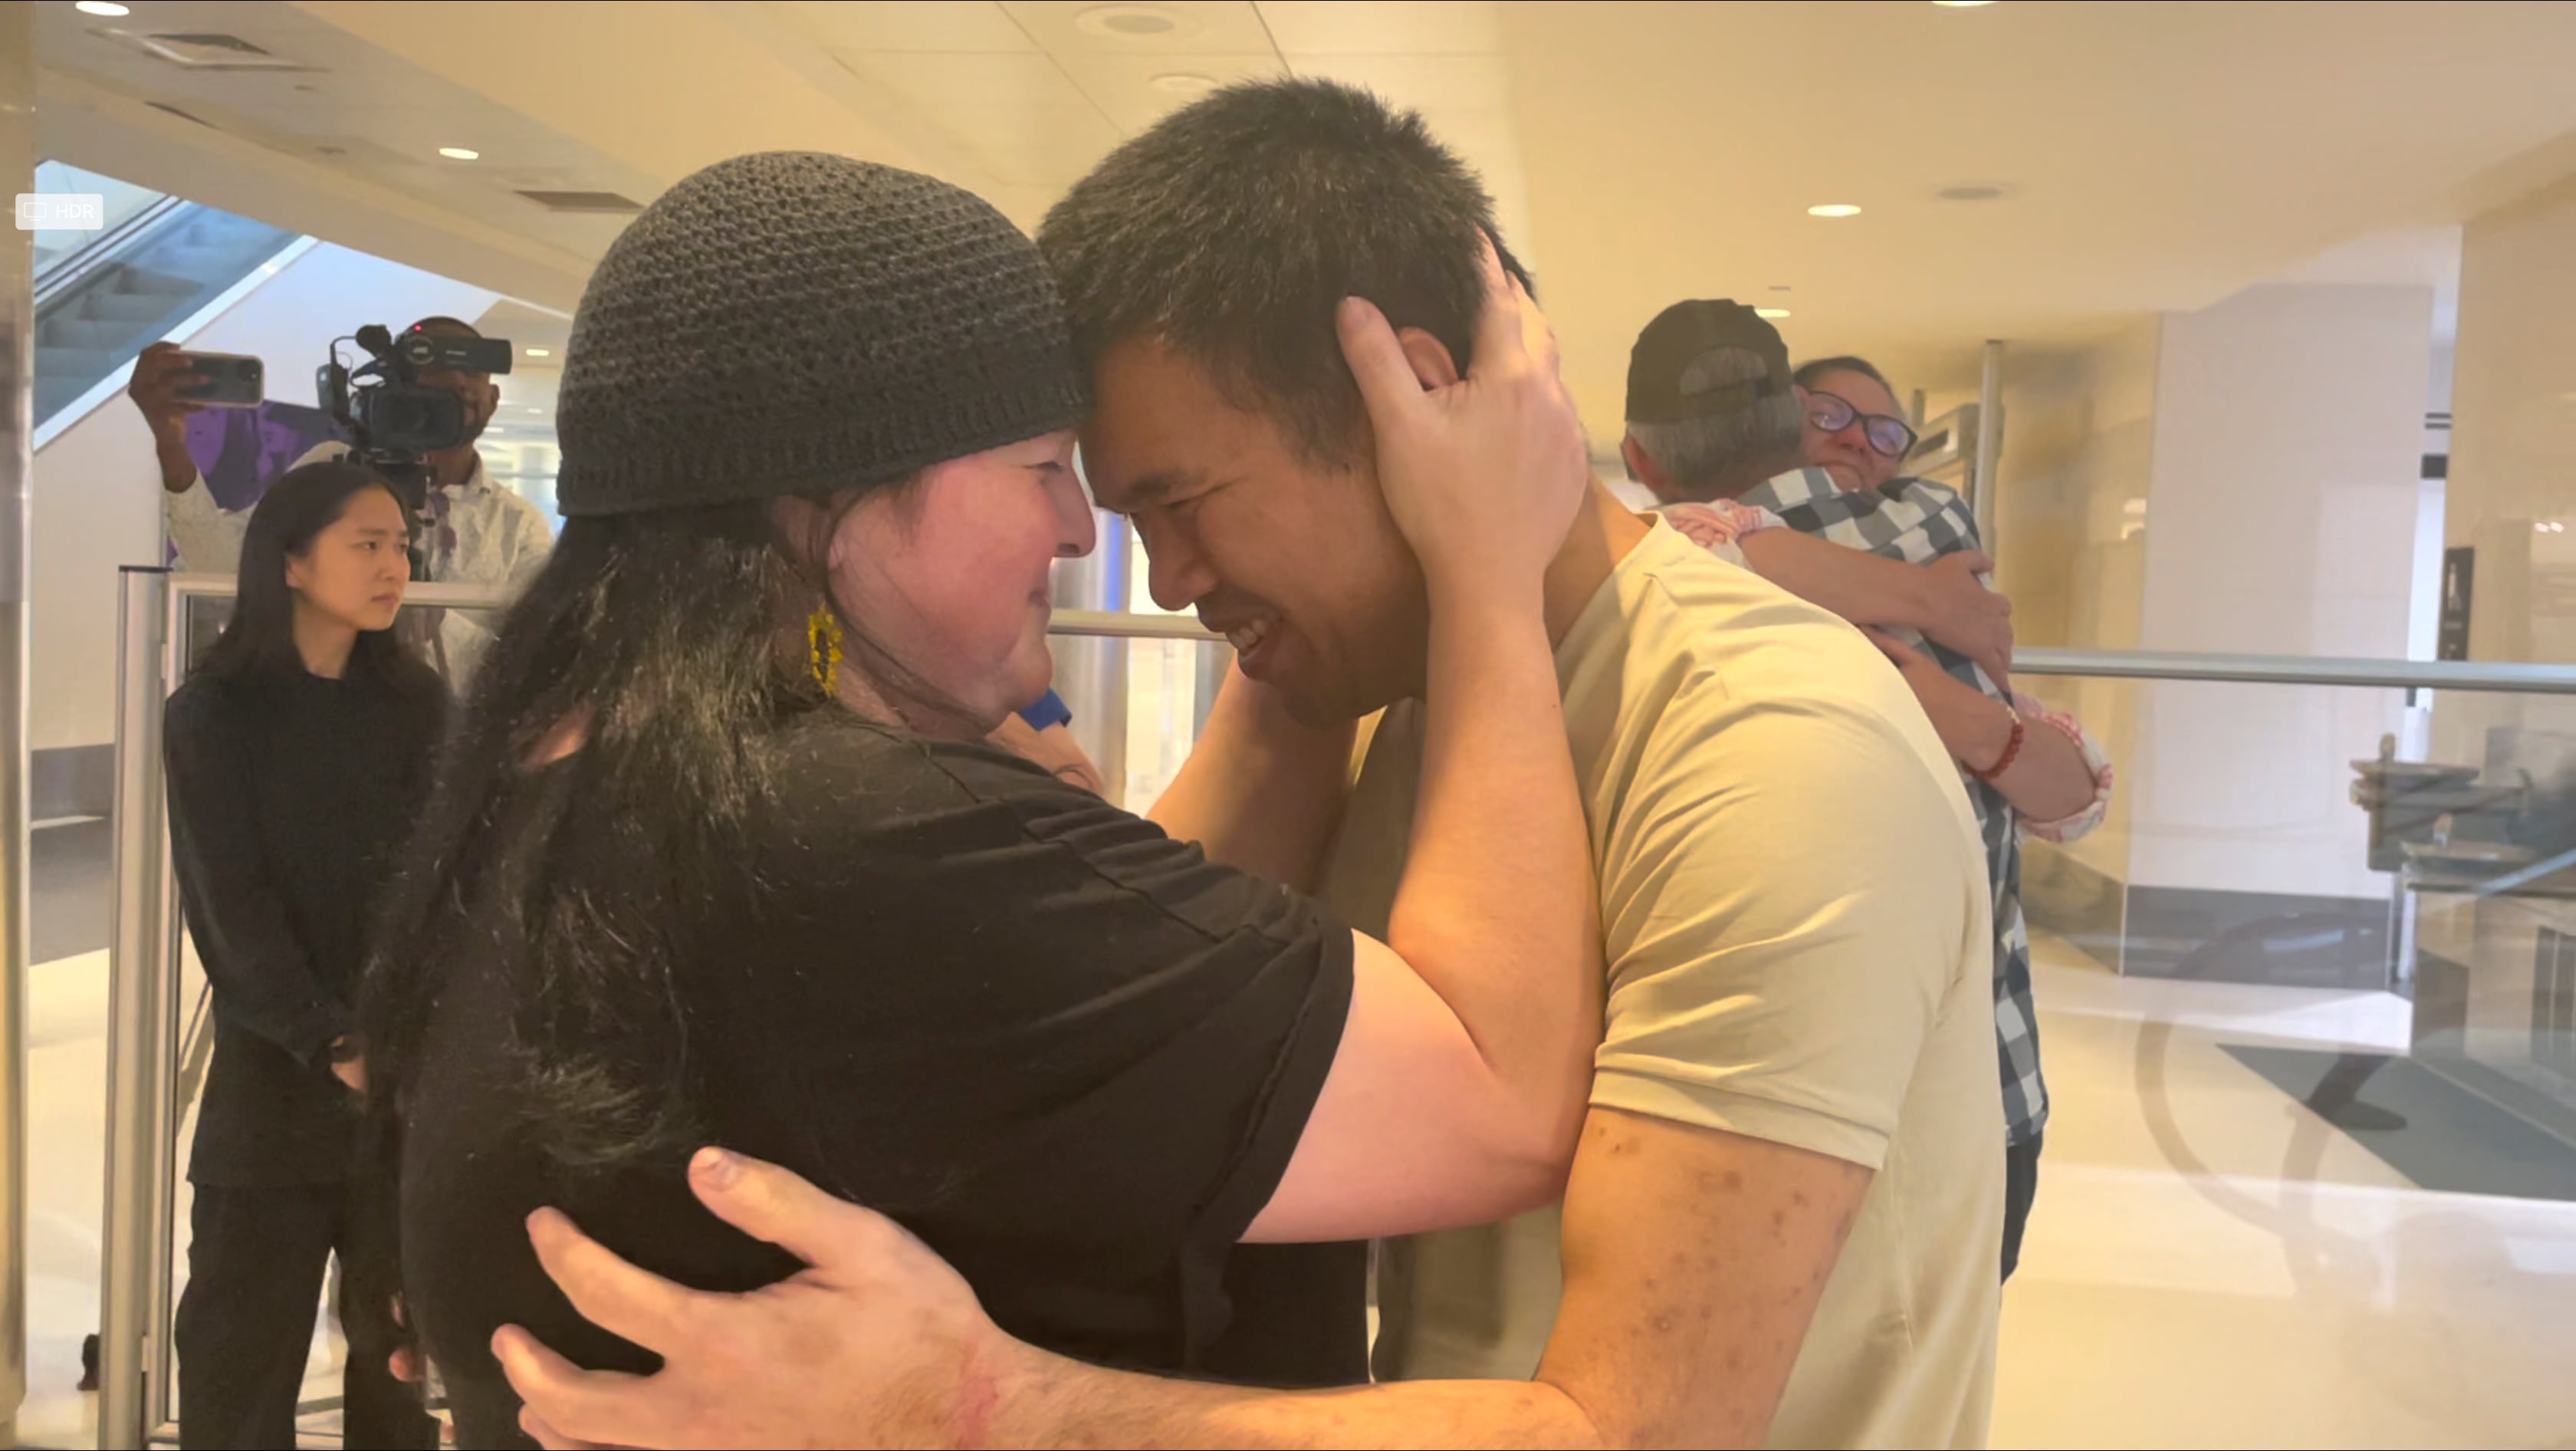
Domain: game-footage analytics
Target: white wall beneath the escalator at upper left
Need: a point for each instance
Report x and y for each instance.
(99, 491)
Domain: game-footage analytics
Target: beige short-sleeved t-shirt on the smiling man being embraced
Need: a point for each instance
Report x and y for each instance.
(1799, 950)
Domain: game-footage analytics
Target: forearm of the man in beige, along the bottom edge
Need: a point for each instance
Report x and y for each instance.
(1065, 1403)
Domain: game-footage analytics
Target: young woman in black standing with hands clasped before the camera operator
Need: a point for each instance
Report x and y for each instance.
(300, 754)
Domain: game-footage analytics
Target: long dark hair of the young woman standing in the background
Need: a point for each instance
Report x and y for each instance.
(261, 635)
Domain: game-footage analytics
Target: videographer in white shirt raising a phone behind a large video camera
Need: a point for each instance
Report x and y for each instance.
(478, 532)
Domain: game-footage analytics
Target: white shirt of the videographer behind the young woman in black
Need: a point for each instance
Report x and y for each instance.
(498, 540)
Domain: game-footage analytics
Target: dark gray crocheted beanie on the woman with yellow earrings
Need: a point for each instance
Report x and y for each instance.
(792, 323)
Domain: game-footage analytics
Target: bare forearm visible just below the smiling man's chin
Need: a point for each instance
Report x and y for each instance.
(1258, 793)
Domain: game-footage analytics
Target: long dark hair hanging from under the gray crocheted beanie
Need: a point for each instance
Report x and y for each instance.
(663, 638)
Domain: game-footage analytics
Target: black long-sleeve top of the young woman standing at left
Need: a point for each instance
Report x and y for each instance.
(287, 805)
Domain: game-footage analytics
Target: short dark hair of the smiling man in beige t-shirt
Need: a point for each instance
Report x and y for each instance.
(1238, 226)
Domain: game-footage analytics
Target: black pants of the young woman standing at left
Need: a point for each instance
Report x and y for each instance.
(246, 1323)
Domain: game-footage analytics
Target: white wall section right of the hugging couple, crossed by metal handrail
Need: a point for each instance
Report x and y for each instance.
(2281, 522)
